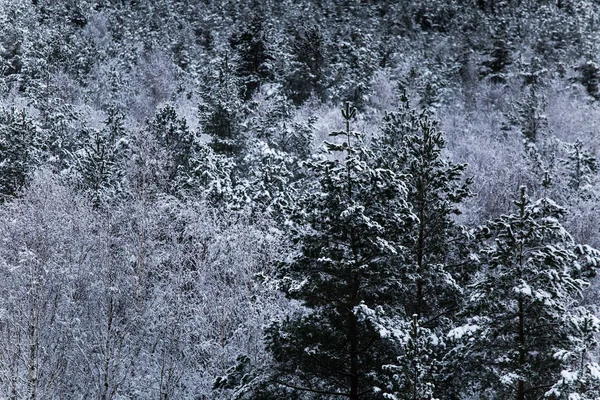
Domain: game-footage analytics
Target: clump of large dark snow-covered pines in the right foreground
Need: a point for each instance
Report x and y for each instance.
(399, 302)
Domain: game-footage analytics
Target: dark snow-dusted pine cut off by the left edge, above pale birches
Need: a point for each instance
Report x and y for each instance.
(17, 151)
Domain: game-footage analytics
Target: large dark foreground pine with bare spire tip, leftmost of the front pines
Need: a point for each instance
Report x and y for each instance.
(348, 226)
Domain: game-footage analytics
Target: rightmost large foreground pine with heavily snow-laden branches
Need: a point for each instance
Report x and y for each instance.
(519, 307)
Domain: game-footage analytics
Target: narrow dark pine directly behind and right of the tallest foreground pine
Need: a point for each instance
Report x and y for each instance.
(411, 144)
